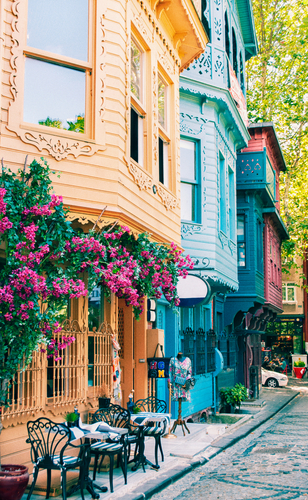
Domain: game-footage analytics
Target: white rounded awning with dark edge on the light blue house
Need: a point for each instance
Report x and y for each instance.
(193, 290)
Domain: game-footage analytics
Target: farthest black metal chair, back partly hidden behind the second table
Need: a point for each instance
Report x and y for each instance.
(152, 404)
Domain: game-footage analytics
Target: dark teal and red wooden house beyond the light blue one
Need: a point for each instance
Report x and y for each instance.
(260, 232)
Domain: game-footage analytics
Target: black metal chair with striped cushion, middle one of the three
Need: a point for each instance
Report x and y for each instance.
(115, 416)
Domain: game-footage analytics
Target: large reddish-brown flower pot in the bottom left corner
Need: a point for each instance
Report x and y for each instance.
(13, 481)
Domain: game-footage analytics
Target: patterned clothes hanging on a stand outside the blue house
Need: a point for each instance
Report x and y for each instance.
(180, 370)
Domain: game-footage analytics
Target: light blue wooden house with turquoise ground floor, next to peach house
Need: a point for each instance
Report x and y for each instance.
(213, 126)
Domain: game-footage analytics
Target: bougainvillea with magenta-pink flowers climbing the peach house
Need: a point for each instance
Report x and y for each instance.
(44, 258)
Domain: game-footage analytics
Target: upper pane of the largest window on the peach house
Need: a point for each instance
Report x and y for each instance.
(59, 26)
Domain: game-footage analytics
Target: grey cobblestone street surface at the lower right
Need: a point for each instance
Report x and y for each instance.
(269, 463)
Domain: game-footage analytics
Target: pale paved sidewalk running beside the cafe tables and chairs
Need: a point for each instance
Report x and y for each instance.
(186, 453)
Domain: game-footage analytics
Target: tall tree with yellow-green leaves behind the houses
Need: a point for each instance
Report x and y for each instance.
(278, 92)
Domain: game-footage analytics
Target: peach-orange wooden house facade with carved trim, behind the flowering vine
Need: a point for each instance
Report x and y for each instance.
(91, 148)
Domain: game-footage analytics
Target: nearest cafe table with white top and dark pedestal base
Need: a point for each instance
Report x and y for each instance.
(99, 430)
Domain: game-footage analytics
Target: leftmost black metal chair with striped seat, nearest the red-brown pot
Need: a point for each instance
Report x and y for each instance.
(49, 441)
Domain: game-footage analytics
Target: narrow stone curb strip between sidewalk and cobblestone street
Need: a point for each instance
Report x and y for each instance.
(153, 486)
